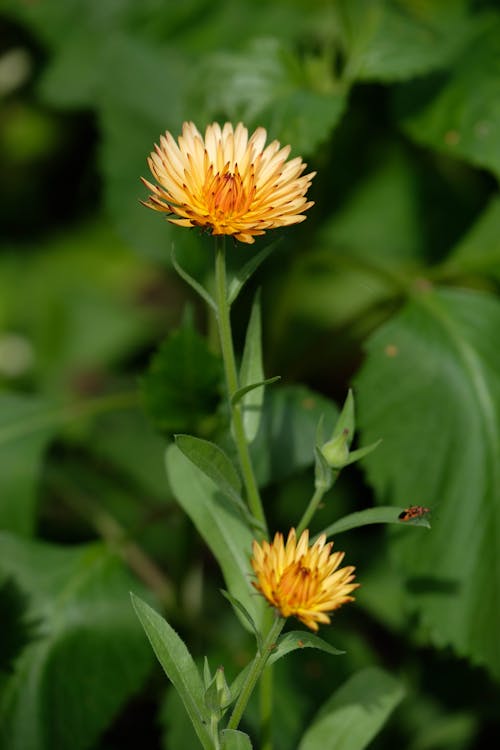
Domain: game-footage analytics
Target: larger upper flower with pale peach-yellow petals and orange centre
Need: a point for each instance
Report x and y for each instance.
(227, 182)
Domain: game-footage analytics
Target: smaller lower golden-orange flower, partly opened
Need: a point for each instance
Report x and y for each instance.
(300, 580)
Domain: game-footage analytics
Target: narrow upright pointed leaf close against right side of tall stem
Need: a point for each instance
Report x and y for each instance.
(251, 372)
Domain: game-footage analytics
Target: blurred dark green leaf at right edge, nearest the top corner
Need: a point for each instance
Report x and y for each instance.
(459, 115)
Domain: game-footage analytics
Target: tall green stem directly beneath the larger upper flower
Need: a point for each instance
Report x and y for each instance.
(226, 340)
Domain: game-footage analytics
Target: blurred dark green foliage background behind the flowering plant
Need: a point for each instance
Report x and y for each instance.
(390, 285)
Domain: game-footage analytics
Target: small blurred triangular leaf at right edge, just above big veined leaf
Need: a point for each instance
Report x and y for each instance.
(479, 250)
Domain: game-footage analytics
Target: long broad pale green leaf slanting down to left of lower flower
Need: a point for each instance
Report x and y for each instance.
(220, 525)
